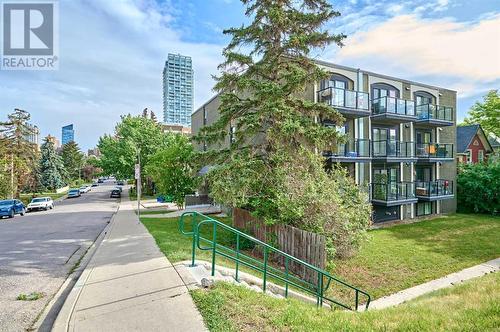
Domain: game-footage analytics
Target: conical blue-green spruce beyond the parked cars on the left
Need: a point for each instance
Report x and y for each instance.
(51, 166)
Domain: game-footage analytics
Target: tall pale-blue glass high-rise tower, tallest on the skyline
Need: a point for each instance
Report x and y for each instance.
(178, 90)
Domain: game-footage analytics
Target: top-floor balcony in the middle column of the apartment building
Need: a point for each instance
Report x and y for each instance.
(392, 110)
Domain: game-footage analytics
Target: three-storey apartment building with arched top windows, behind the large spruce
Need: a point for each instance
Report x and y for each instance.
(400, 139)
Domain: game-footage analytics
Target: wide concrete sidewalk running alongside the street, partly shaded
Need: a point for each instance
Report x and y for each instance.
(129, 285)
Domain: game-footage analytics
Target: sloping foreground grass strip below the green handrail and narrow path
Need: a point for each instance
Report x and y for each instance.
(472, 306)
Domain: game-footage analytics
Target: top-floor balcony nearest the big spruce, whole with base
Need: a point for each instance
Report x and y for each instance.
(352, 104)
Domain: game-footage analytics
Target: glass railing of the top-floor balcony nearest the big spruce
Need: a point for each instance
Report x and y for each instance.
(338, 97)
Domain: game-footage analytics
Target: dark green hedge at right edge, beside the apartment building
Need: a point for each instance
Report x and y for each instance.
(478, 188)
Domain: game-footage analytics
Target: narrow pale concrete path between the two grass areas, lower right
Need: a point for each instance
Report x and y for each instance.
(447, 281)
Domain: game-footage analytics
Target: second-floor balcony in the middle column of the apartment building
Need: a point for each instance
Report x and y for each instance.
(393, 151)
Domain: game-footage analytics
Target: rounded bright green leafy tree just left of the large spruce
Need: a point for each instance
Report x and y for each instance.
(173, 170)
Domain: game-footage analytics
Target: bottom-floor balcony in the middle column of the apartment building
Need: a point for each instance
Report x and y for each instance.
(393, 193)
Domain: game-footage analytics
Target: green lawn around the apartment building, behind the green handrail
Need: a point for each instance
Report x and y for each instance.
(393, 259)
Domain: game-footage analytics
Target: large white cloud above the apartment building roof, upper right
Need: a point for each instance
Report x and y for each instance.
(469, 53)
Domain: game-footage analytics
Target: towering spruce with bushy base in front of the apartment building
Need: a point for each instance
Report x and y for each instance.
(274, 165)
